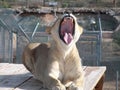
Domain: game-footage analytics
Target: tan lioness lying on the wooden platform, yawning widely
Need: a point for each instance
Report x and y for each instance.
(57, 63)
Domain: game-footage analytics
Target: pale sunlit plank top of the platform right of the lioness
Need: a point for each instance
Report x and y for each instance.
(92, 76)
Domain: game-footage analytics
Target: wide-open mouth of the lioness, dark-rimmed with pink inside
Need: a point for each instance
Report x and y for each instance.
(66, 29)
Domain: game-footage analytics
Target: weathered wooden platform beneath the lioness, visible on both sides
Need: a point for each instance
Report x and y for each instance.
(16, 77)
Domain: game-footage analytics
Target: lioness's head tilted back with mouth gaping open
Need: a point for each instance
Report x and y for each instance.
(66, 30)
